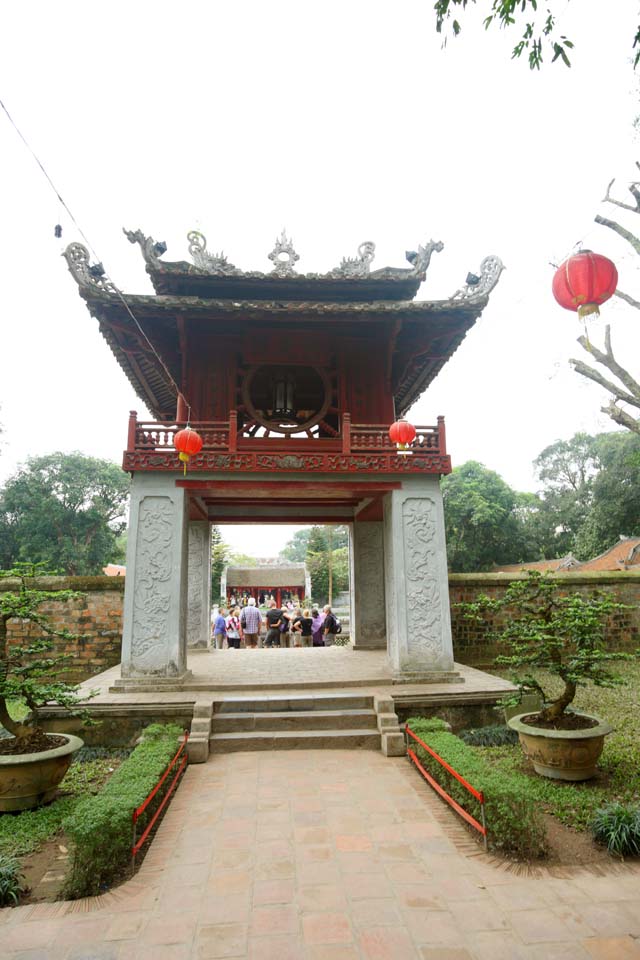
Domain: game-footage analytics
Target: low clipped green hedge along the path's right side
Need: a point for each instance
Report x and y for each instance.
(514, 821)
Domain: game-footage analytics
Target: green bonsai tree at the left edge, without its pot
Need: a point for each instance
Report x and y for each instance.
(28, 671)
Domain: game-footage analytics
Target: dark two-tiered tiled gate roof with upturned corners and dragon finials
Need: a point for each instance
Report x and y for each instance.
(143, 330)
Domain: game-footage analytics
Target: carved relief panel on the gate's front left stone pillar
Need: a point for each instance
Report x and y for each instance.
(152, 586)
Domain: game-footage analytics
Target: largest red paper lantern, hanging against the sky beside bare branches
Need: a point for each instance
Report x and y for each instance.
(584, 281)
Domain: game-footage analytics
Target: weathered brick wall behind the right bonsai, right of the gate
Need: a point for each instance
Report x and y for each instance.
(472, 643)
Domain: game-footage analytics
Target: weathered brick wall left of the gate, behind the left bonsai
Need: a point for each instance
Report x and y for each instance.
(96, 615)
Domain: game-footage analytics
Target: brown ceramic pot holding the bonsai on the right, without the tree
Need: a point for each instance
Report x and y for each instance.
(562, 754)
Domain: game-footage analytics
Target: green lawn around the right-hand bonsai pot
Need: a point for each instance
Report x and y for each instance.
(619, 776)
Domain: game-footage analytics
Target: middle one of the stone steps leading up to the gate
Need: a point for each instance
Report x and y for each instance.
(298, 721)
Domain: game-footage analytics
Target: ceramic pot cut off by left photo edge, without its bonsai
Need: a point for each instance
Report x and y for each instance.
(28, 780)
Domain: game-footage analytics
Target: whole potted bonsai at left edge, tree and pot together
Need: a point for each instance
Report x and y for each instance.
(32, 762)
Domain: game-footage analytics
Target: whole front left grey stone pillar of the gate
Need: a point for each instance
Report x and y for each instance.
(155, 603)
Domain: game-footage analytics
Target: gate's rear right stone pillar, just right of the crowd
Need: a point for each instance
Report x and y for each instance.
(368, 621)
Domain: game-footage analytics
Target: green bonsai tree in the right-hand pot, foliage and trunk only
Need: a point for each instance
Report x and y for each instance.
(545, 629)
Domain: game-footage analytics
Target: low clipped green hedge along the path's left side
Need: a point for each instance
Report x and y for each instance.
(100, 827)
